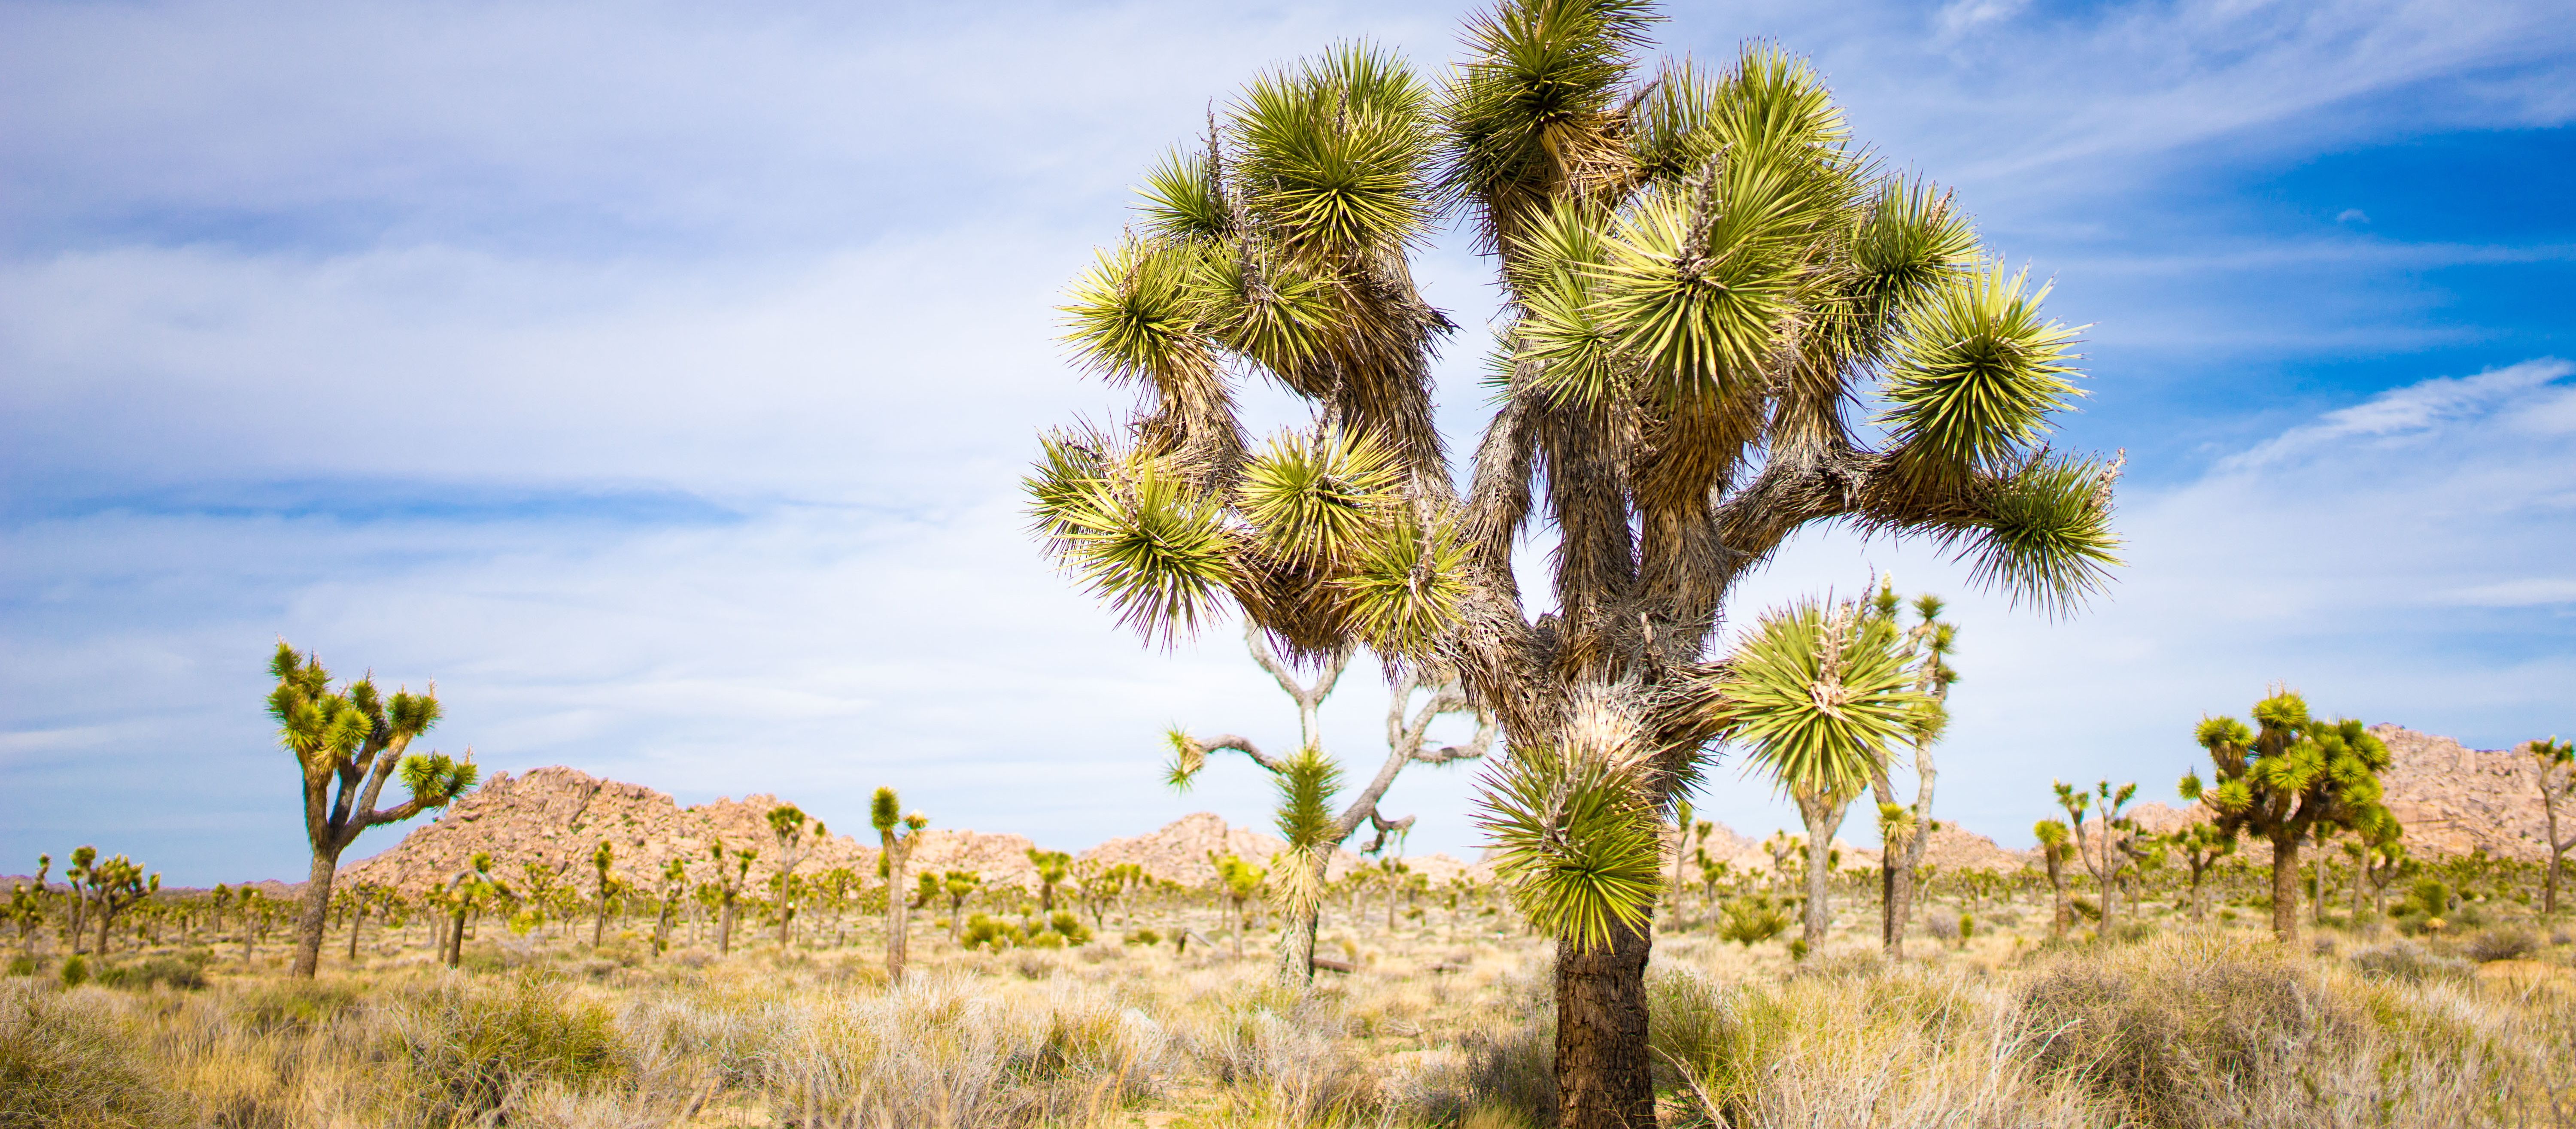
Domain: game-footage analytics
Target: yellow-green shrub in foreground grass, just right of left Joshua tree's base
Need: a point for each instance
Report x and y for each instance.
(473, 1048)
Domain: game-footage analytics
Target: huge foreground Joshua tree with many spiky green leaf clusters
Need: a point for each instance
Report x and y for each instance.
(1701, 269)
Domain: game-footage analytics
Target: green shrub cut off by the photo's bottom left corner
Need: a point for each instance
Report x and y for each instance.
(68, 1063)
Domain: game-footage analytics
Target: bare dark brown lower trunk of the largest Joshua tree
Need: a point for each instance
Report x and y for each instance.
(1604, 1076)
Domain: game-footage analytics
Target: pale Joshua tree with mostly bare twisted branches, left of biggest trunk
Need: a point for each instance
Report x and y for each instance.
(1312, 844)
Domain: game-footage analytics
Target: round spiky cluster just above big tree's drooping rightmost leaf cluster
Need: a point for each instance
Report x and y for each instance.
(1977, 375)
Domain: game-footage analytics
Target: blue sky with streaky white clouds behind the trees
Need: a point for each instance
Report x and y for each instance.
(658, 378)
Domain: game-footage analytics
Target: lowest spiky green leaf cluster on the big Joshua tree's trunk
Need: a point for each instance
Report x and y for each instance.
(1575, 839)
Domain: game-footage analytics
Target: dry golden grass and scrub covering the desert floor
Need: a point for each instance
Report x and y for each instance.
(1446, 1022)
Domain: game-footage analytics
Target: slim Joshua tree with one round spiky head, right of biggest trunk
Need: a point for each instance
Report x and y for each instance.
(1817, 695)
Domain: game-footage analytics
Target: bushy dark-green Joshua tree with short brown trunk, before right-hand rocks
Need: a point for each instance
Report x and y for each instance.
(2286, 780)
